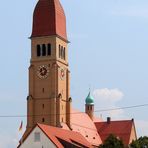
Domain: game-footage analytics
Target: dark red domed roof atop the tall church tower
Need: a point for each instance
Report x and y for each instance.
(49, 19)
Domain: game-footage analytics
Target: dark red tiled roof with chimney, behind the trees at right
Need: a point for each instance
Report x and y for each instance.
(121, 129)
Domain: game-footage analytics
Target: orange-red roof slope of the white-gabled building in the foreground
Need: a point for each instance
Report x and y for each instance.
(53, 133)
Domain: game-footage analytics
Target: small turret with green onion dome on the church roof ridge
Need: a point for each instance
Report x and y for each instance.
(89, 106)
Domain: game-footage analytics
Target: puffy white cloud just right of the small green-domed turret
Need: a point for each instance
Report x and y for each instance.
(107, 99)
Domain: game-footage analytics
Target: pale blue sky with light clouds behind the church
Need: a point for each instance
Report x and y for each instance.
(107, 54)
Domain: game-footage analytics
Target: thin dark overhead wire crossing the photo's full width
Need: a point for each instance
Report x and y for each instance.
(102, 110)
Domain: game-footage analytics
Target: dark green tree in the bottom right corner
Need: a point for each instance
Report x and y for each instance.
(142, 142)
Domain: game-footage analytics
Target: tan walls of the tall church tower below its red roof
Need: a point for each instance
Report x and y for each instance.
(49, 98)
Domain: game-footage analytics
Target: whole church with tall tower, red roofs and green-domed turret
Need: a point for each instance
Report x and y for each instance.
(49, 103)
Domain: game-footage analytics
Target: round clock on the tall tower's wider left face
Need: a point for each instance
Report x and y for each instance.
(43, 71)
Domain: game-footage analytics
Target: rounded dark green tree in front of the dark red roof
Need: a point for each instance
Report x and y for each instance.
(112, 142)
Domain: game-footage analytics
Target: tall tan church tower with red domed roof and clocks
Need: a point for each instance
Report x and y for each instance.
(49, 99)
